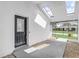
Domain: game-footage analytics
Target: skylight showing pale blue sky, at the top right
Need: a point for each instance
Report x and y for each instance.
(70, 7)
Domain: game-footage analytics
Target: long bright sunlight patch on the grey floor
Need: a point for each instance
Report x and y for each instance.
(33, 49)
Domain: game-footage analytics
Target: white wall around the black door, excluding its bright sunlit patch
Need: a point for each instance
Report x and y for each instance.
(7, 12)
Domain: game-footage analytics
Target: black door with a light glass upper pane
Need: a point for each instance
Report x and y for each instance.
(20, 30)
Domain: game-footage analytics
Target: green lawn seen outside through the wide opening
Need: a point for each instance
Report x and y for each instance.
(61, 35)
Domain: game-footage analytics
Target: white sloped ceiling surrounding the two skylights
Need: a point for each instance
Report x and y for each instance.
(58, 9)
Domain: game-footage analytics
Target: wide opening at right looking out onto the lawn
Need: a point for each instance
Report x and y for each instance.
(66, 30)
